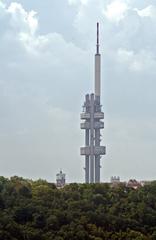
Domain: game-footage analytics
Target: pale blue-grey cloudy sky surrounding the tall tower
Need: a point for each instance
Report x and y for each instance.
(47, 66)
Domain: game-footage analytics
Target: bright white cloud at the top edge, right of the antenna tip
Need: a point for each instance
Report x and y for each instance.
(116, 10)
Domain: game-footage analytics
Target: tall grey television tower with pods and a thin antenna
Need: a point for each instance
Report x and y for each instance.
(92, 124)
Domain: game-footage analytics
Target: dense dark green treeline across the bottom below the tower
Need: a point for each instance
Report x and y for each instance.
(37, 210)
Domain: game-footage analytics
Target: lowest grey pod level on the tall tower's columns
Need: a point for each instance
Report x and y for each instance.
(97, 150)
